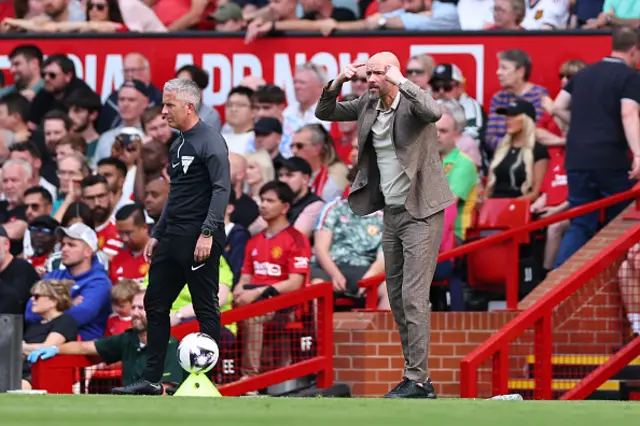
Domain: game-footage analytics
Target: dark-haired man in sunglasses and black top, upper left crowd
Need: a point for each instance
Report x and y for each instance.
(60, 81)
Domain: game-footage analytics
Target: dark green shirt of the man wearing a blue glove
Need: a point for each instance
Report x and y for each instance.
(126, 347)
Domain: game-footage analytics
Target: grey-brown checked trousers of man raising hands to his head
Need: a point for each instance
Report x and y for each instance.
(410, 249)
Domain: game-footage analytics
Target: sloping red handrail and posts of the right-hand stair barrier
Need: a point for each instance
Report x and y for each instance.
(539, 316)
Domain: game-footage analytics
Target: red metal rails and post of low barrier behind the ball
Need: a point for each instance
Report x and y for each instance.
(58, 374)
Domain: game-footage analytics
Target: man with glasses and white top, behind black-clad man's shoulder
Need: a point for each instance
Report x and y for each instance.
(239, 114)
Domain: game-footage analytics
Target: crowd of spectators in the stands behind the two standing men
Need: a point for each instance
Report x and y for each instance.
(83, 182)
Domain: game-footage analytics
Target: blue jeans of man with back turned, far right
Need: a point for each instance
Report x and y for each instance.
(586, 187)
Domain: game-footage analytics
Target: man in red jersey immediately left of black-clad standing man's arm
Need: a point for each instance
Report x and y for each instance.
(132, 229)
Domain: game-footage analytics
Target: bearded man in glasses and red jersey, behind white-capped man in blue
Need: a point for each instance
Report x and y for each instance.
(96, 194)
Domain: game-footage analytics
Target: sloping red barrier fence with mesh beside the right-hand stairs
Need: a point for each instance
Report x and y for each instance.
(550, 347)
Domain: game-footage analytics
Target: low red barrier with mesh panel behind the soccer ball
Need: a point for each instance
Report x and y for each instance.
(307, 338)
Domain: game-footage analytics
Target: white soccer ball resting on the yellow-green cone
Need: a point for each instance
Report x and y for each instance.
(198, 353)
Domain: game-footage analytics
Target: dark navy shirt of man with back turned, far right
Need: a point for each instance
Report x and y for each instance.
(596, 139)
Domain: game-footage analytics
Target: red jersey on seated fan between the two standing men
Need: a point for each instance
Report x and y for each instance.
(271, 259)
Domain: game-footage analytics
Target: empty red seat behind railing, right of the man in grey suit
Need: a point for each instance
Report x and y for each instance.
(487, 268)
